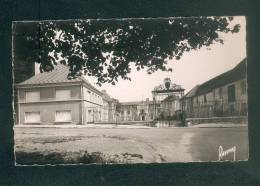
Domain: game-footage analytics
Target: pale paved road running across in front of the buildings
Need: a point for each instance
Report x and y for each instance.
(137, 145)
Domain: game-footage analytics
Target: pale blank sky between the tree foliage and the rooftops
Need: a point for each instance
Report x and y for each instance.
(193, 68)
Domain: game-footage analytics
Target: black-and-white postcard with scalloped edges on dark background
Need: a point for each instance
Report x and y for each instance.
(148, 90)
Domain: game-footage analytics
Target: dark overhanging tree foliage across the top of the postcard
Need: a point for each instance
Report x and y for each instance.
(105, 48)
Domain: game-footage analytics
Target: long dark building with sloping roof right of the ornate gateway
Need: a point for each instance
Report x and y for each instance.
(222, 96)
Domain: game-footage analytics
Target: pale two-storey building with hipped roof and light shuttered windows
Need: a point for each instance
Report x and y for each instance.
(51, 98)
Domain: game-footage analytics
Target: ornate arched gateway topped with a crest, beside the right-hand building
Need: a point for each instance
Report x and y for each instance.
(166, 98)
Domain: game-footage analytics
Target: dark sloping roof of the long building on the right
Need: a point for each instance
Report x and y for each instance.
(235, 74)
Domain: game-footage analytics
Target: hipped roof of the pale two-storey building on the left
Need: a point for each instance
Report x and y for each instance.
(58, 75)
